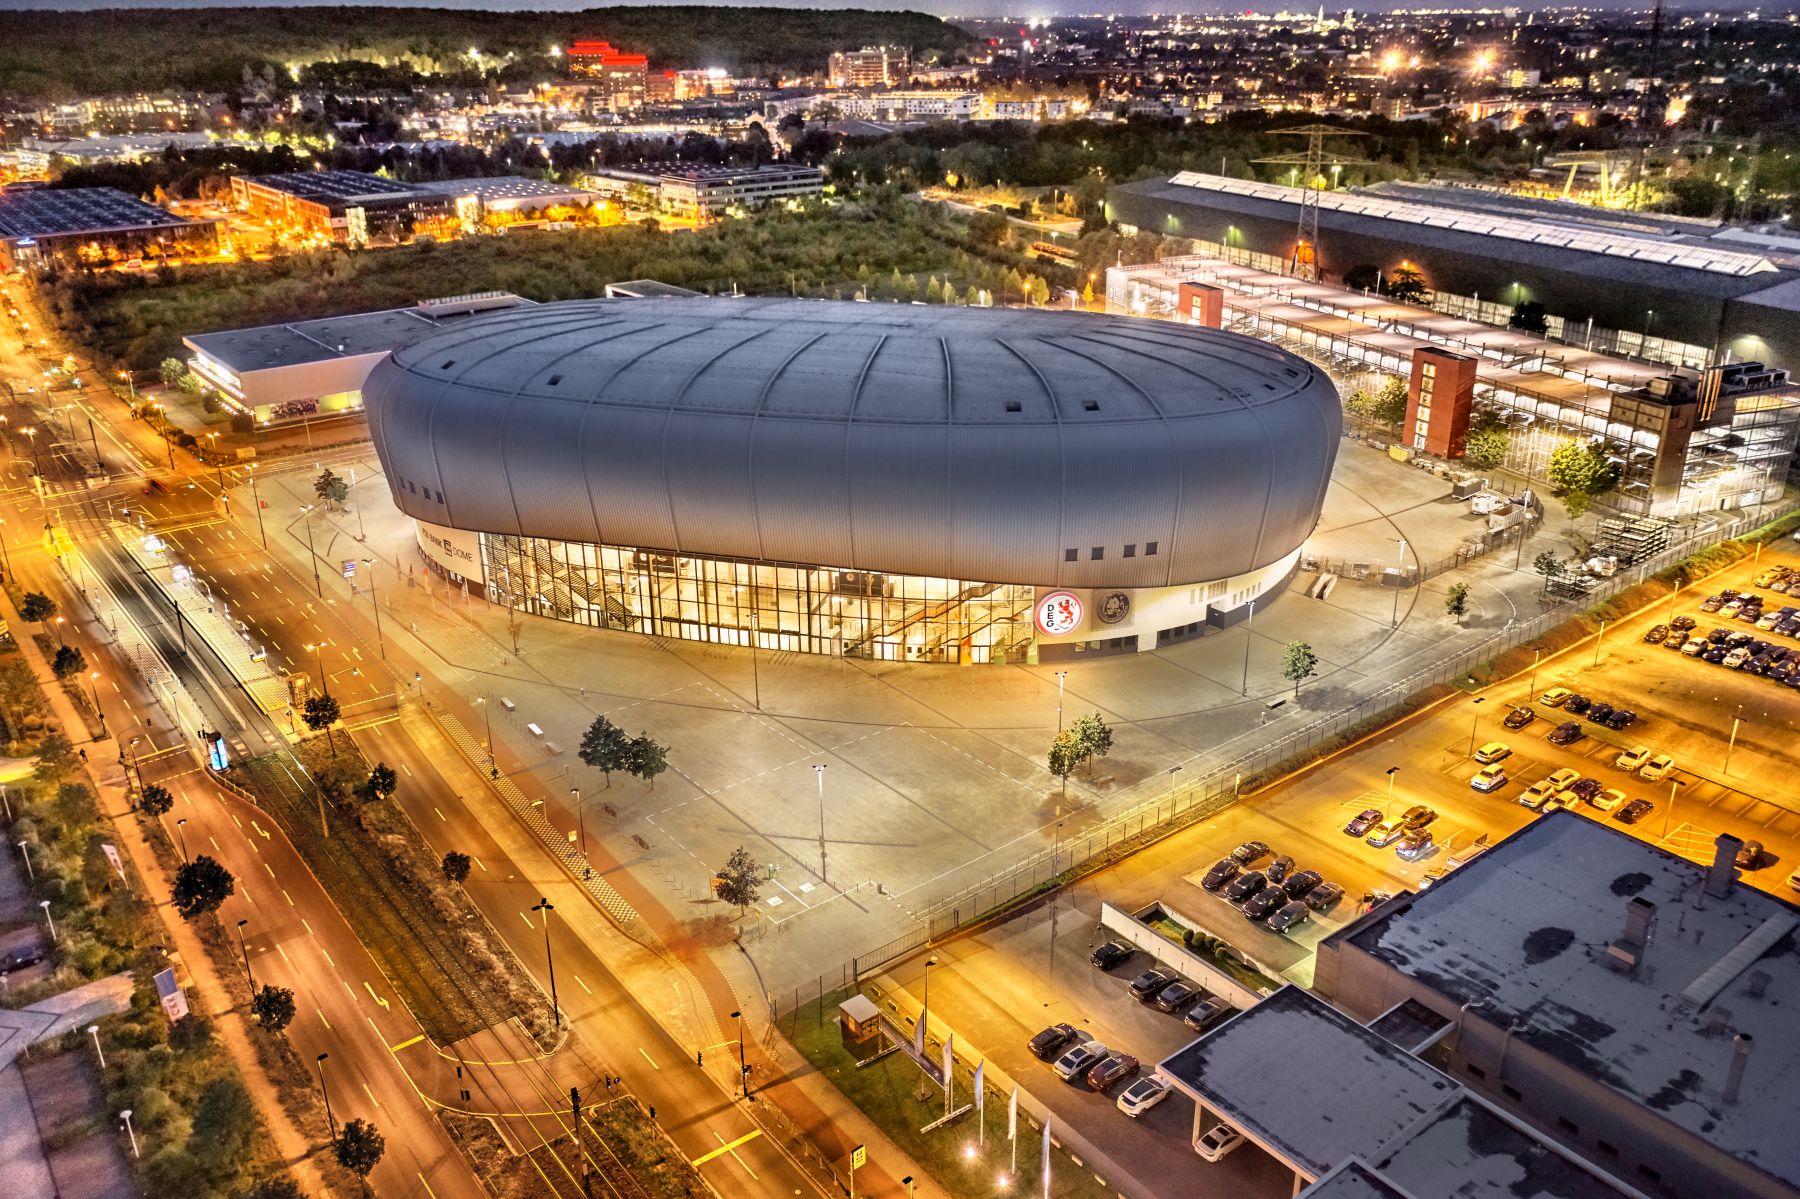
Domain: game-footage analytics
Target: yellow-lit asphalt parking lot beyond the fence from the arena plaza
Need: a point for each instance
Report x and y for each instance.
(1003, 986)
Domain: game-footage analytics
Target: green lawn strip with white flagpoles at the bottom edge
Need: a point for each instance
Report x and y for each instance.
(888, 1095)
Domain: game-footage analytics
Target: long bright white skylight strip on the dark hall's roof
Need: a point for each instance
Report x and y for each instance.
(1493, 226)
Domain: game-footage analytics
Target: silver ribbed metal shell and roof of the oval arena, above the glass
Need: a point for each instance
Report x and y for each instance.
(982, 444)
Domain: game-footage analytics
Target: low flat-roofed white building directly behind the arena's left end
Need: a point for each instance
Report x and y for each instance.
(314, 370)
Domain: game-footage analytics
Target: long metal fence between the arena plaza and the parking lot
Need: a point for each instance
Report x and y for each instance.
(1180, 807)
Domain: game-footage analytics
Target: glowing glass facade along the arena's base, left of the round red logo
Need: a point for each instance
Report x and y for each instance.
(786, 608)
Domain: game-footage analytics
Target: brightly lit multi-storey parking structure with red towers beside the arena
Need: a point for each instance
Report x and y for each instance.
(1682, 442)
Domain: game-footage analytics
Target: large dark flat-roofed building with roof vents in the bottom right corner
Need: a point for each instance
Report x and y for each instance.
(1630, 1004)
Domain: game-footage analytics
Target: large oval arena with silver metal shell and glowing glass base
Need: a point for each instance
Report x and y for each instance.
(868, 482)
